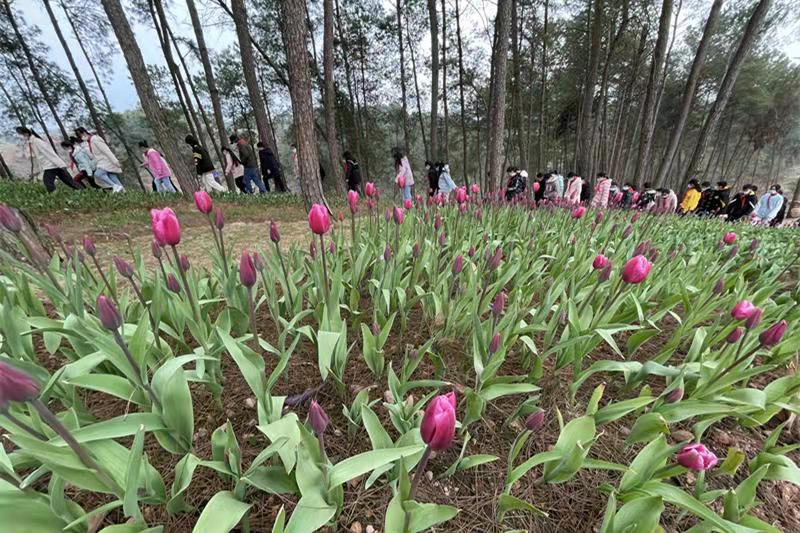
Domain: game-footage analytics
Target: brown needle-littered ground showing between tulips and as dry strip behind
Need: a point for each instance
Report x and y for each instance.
(575, 506)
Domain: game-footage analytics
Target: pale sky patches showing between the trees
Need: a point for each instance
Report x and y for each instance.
(218, 36)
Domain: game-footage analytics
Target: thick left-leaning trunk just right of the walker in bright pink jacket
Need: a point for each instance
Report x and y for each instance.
(147, 95)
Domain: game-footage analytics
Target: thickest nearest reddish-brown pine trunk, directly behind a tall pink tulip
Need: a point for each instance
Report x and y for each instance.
(294, 35)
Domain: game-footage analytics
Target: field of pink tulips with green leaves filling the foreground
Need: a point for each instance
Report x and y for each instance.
(471, 365)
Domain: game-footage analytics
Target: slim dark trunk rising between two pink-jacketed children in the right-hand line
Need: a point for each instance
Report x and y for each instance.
(586, 130)
